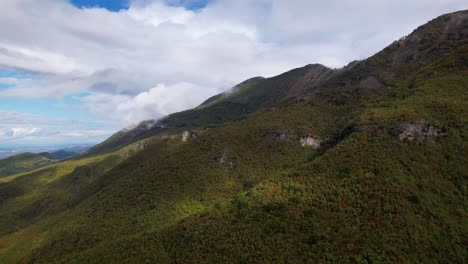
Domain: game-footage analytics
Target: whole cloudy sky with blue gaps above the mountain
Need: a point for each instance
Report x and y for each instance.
(77, 71)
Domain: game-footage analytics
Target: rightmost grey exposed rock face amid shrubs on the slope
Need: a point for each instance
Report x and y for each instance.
(419, 130)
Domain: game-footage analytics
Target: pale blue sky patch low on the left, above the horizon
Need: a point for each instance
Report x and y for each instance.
(47, 121)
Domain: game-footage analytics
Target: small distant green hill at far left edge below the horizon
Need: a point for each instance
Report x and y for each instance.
(22, 163)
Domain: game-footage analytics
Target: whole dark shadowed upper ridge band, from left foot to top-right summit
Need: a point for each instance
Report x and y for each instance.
(365, 78)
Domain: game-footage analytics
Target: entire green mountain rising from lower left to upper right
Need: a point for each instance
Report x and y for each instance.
(365, 164)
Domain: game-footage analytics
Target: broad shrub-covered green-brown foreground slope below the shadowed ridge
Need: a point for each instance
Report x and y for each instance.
(366, 197)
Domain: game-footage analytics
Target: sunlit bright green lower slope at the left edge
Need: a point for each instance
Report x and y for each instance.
(28, 197)
